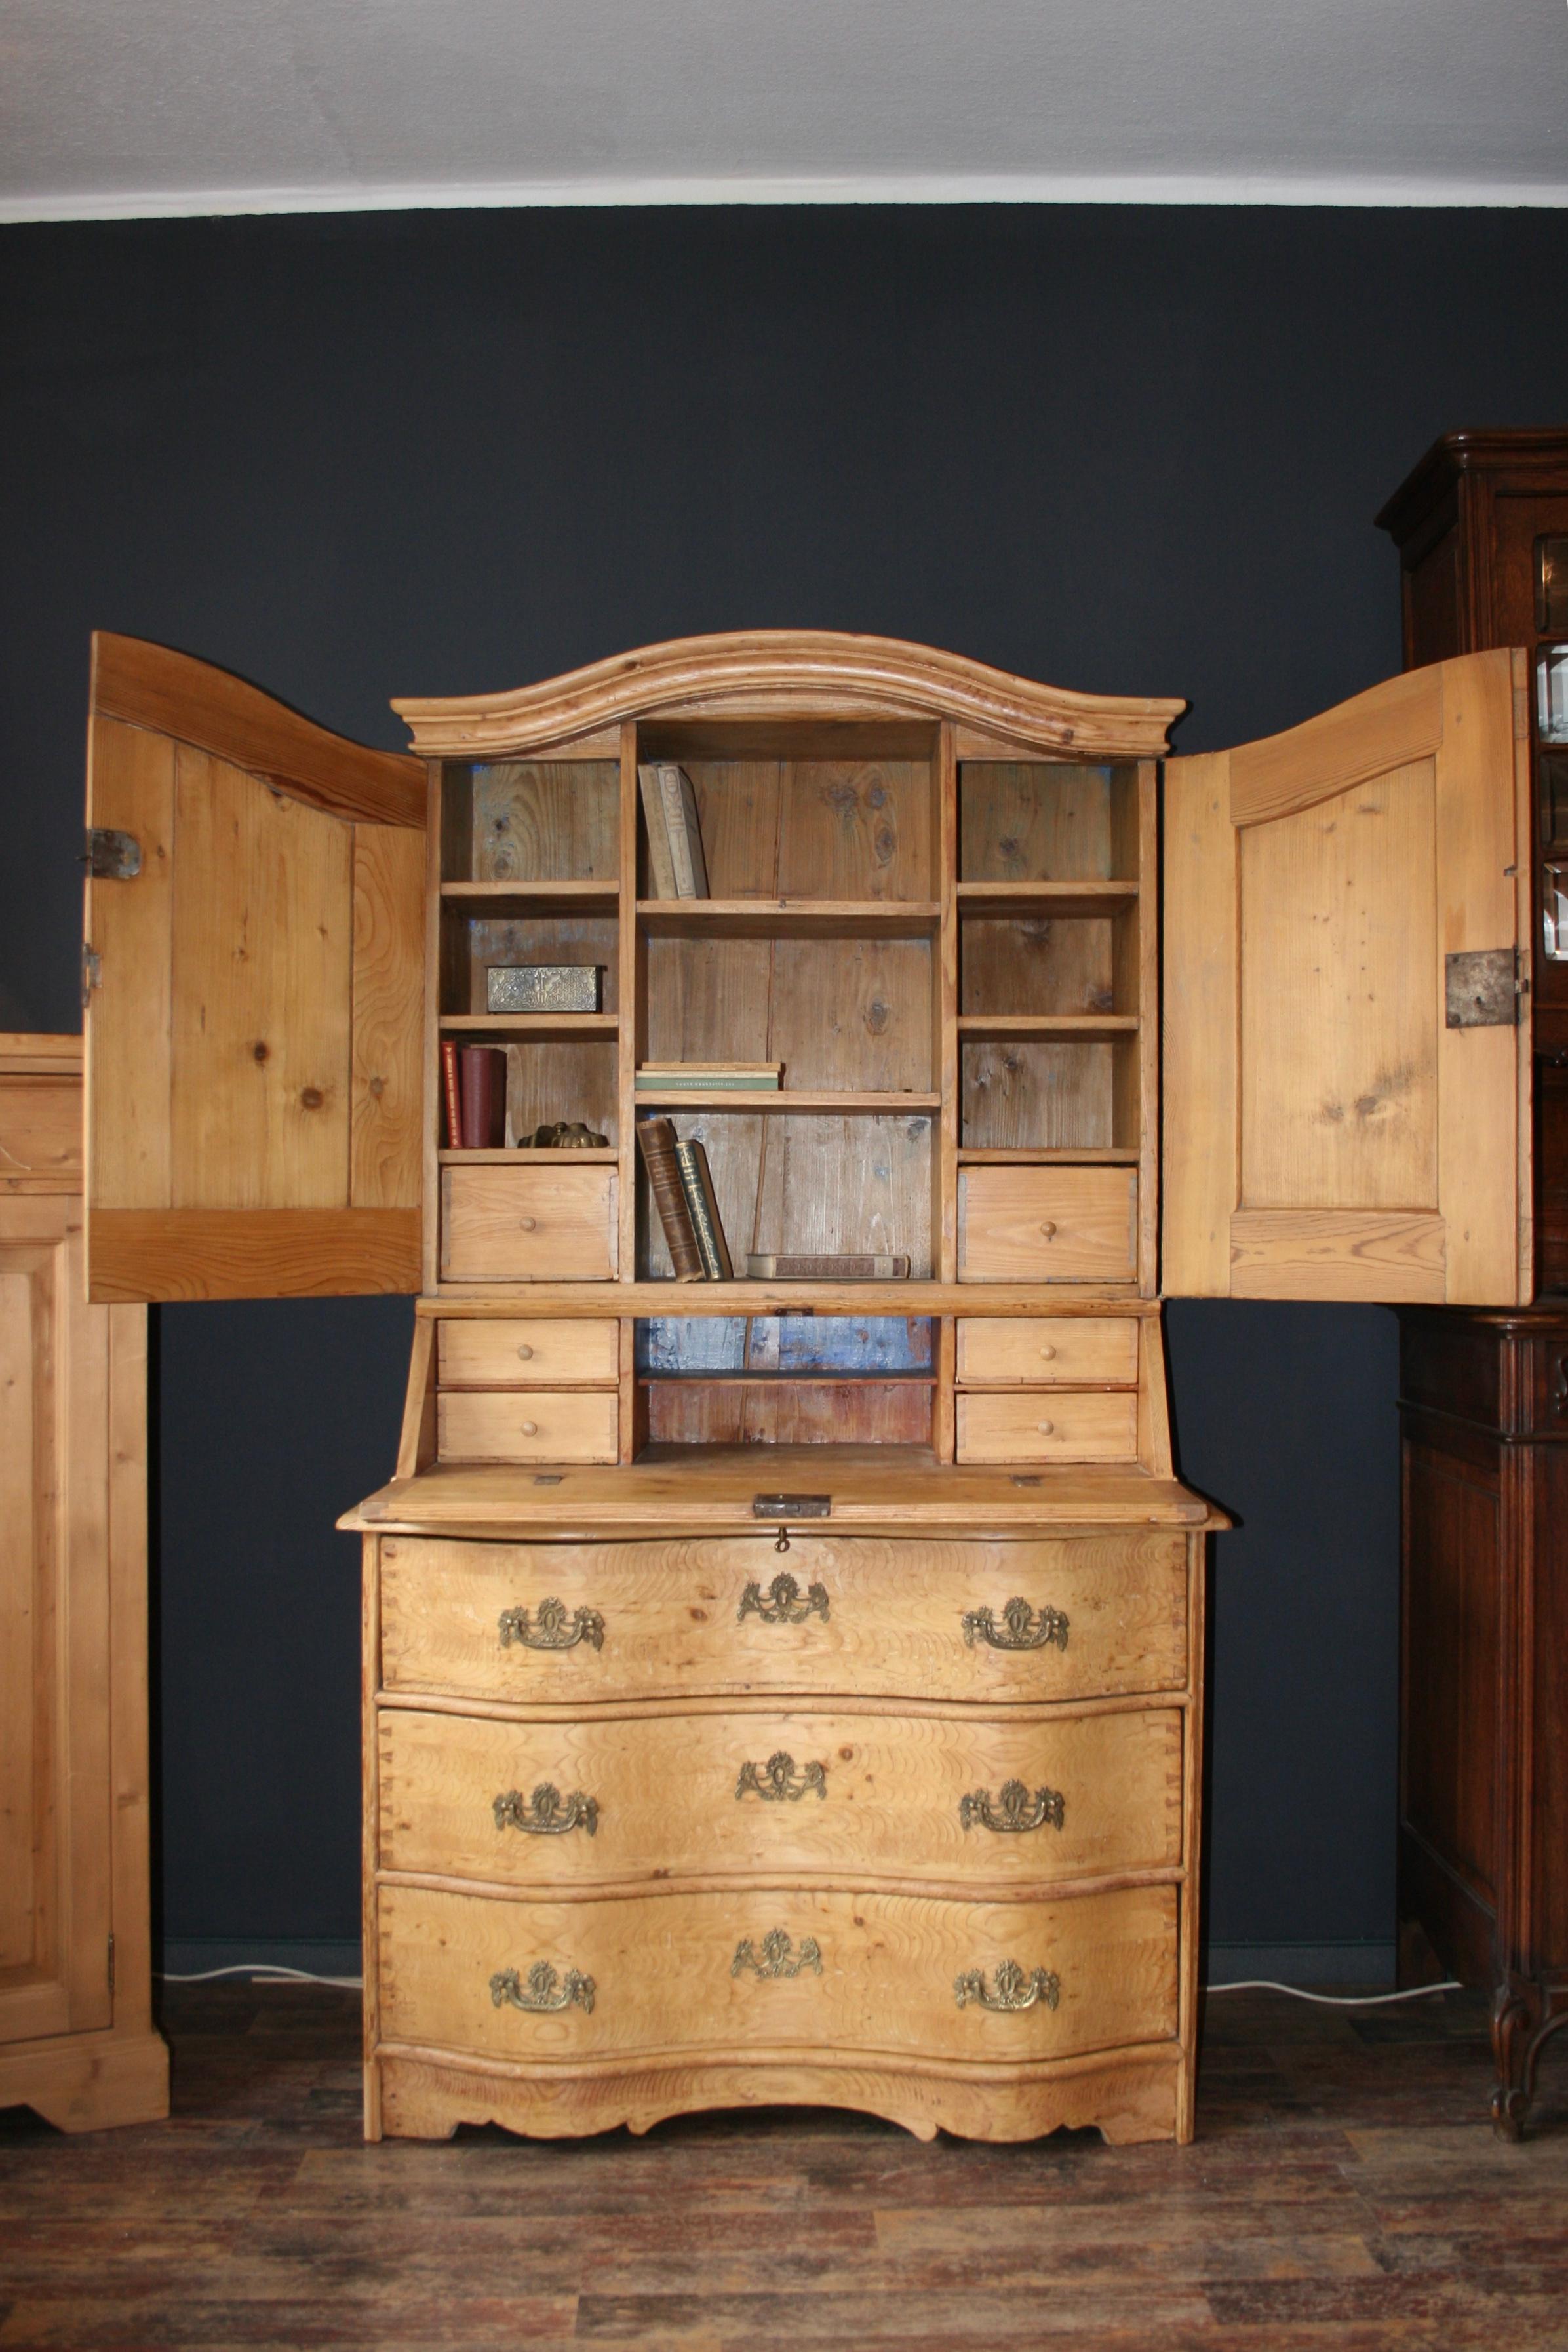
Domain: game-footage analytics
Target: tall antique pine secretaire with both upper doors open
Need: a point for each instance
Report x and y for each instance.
(791, 1690)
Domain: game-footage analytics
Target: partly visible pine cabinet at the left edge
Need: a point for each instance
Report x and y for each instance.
(76, 2029)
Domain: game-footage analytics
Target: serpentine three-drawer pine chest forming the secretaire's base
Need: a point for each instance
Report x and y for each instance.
(681, 1817)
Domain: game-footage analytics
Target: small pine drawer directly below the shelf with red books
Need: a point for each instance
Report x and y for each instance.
(530, 1224)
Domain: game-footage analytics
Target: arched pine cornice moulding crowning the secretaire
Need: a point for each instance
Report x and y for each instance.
(779, 671)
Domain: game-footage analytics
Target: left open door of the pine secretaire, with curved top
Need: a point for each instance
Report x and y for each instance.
(253, 987)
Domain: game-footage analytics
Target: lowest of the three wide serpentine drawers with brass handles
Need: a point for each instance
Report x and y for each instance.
(753, 1972)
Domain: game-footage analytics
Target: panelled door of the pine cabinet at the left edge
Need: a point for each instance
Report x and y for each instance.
(55, 1765)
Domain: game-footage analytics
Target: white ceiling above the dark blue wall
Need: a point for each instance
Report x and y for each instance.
(152, 107)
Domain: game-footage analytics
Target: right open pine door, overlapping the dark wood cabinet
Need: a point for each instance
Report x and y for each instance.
(1346, 1055)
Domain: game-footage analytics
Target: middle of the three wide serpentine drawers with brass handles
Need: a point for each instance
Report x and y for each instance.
(1017, 1798)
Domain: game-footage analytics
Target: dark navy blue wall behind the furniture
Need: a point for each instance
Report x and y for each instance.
(1127, 450)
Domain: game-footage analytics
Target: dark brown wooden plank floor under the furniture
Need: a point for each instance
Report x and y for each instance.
(1346, 2191)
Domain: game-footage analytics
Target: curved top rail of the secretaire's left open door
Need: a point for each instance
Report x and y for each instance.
(173, 695)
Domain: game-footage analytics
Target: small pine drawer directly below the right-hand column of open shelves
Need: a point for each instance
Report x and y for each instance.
(1047, 1224)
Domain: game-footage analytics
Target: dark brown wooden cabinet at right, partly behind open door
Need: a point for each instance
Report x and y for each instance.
(1482, 530)
